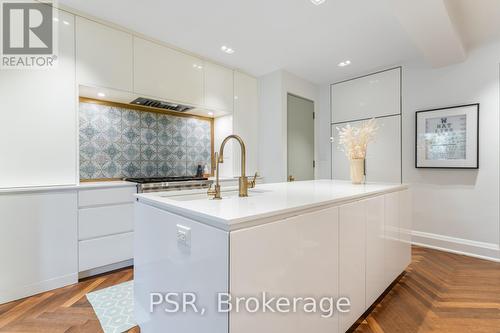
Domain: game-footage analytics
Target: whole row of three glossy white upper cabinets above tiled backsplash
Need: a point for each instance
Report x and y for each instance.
(111, 58)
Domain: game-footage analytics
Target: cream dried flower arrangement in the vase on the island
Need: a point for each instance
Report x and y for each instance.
(353, 141)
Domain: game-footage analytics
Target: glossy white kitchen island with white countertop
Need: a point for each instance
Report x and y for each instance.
(307, 240)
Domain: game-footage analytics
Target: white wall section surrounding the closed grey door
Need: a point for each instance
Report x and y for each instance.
(274, 88)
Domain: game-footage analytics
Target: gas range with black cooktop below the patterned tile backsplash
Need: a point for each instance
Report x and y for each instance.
(160, 184)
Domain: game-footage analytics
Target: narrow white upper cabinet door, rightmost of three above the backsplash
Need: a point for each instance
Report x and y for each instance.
(218, 87)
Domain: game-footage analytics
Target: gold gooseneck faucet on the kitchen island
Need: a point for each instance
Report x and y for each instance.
(244, 184)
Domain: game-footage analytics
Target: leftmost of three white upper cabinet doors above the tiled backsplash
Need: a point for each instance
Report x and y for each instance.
(104, 56)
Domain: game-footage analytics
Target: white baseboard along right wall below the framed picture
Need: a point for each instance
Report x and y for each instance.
(481, 250)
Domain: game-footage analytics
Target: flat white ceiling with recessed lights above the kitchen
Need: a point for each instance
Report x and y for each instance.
(267, 35)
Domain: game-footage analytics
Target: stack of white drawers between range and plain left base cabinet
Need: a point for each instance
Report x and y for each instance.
(105, 228)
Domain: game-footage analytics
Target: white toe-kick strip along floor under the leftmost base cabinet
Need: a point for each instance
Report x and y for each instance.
(37, 288)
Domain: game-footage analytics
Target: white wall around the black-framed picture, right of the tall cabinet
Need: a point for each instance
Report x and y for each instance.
(456, 210)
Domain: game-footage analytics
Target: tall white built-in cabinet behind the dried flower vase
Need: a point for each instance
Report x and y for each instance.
(354, 101)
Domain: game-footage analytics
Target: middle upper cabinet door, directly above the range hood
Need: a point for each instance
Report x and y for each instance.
(167, 74)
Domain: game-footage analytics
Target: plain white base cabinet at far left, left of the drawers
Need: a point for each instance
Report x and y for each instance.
(38, 242)
